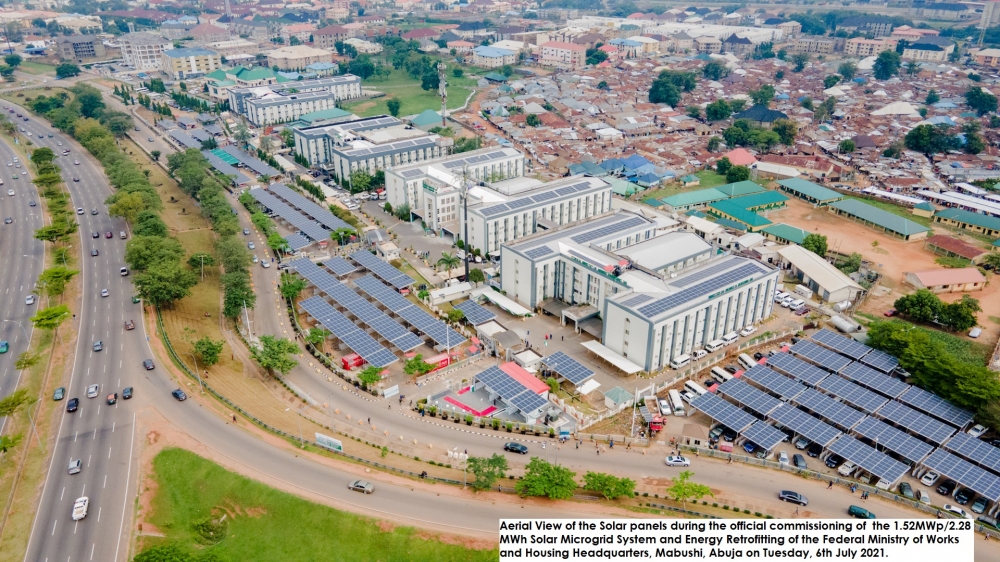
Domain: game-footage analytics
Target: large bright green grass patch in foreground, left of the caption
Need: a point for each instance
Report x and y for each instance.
(267, 524)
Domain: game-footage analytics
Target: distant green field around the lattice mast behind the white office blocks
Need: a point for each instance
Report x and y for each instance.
(412, 97)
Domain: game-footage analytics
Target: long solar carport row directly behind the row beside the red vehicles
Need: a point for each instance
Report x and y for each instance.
(363, 310)
